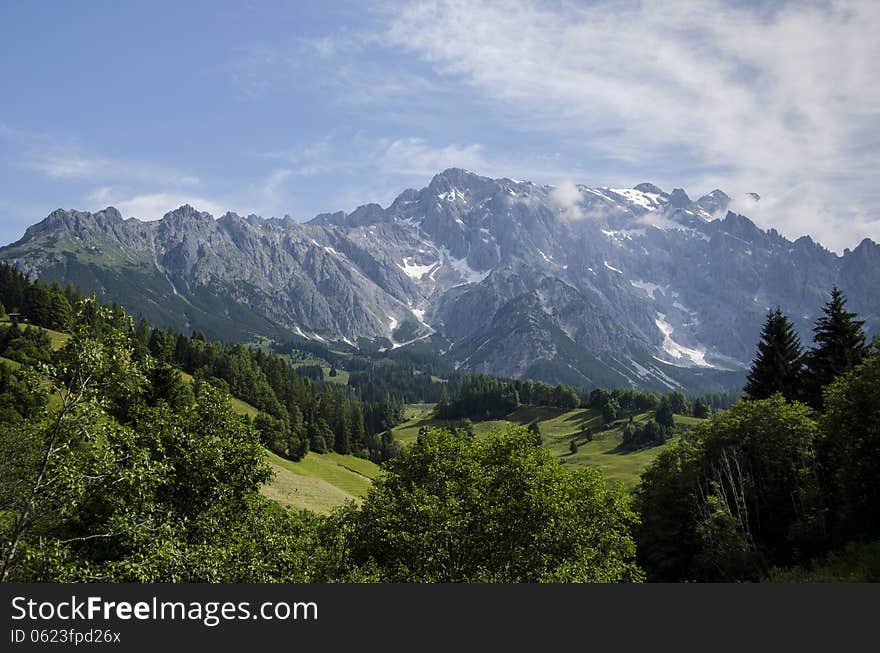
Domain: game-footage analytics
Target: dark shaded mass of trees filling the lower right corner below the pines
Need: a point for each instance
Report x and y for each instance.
(770, 485)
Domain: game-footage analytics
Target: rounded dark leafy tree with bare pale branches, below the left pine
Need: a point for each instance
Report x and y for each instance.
(742, 494)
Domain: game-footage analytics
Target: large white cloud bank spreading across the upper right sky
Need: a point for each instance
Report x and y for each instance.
(743, 97)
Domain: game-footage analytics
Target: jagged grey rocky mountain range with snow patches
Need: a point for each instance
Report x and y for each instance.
(635, 287)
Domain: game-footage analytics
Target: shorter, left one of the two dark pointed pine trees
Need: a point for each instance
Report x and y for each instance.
(778, 362)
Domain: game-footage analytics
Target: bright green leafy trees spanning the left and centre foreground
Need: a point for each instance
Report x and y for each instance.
(134, 477)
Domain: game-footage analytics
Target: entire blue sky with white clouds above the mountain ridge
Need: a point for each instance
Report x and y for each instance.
(296, 108)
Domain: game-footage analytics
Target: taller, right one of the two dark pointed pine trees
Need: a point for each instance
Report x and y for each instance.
(839, 345)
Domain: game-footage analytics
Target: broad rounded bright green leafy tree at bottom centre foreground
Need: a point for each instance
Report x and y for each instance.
(497, 509)
